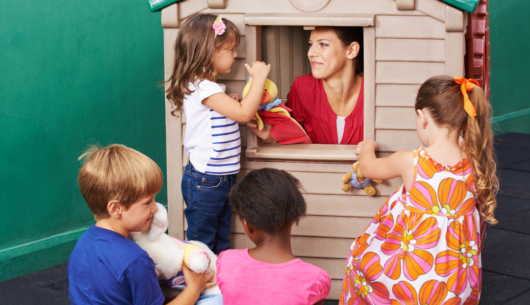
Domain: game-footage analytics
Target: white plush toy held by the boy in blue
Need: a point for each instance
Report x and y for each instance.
(169, 253)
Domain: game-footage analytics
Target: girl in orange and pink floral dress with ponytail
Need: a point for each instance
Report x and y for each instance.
(424, 246)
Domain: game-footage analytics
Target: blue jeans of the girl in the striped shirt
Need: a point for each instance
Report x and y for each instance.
(208, 211)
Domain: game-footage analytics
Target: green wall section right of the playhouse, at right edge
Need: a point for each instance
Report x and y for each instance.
(510, 65)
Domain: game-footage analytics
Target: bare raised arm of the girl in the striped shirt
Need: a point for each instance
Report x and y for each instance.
(242, 111)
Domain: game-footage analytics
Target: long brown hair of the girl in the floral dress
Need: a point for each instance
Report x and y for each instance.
(442, 96)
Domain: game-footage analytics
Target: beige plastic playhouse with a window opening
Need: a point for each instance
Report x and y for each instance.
(405, 43)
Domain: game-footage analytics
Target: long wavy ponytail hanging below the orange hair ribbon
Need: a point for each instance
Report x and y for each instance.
(478, 144)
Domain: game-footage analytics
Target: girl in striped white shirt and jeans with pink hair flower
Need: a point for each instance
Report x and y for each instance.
(205, 48)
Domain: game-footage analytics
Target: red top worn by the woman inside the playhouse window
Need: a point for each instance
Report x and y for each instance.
(311, 109)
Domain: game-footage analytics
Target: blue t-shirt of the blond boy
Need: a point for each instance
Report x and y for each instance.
(107, 268)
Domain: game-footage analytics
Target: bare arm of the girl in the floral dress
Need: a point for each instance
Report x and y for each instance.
(399, 164)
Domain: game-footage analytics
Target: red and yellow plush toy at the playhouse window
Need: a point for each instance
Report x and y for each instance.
(284, 129)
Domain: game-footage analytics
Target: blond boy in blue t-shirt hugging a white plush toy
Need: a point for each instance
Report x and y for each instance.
(119, 185)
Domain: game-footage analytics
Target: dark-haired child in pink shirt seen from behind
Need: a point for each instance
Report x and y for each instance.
(268, 202)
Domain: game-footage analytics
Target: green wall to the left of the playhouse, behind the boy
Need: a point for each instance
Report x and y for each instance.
(72, 73)
